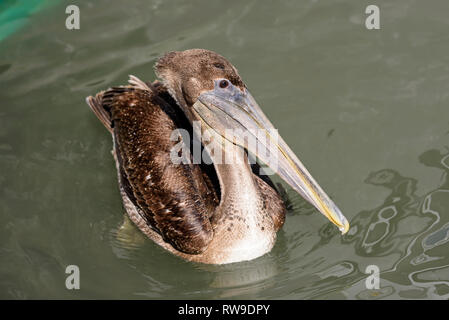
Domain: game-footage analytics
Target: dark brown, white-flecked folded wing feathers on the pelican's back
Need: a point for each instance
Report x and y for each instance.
(170, 196)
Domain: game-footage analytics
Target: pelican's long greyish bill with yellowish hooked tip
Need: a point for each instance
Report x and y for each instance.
(235, 116)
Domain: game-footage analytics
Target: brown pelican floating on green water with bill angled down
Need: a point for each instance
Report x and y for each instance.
(220, 213)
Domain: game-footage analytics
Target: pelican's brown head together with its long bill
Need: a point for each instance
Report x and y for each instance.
(209, 89)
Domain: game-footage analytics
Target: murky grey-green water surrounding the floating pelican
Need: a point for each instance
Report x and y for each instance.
(366, 111)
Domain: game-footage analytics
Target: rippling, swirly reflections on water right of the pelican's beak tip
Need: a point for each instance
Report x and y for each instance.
(413, 229)
